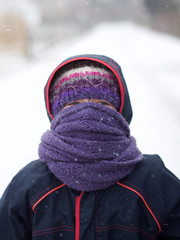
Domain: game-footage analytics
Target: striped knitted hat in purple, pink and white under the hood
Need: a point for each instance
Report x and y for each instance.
(83, 79)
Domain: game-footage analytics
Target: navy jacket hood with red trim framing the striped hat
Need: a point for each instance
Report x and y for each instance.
(125, 107)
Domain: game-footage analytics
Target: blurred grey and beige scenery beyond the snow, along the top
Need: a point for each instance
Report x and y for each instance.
(28, 27)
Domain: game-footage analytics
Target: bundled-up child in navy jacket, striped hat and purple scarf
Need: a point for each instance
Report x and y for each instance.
(91, 182)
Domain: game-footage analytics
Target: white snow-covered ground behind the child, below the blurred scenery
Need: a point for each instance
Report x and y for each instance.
(151, 66)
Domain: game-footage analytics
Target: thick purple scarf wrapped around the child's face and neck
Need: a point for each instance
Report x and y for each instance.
(89, 147)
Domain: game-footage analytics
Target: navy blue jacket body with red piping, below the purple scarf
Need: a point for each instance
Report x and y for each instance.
(144, 205)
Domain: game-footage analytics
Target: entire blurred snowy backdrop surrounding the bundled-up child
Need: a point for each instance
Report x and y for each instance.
(141, 35)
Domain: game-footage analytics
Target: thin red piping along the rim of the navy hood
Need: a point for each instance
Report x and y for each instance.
(85, 58)
